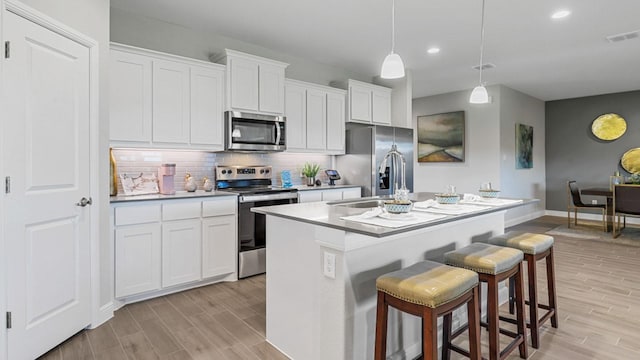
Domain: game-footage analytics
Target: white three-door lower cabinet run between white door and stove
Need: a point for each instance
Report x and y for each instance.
(181, 242)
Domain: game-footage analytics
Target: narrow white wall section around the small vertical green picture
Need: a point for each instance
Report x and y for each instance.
(519, 108)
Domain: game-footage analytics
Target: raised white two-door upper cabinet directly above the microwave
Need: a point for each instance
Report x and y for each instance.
(254, 84)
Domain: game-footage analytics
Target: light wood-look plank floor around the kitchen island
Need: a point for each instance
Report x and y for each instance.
(598, 287)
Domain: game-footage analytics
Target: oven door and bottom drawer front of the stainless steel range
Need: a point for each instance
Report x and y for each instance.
(252, 236)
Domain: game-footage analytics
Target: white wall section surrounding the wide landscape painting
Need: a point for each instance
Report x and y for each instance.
(482, 146)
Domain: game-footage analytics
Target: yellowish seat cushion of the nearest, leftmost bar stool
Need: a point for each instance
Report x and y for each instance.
(427, 283)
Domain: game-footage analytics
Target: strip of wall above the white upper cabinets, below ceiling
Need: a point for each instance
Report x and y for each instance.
(145, 32)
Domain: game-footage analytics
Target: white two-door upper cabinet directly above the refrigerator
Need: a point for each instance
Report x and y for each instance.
(368, 103)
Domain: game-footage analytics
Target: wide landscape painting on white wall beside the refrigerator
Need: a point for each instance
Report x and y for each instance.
(441, 137)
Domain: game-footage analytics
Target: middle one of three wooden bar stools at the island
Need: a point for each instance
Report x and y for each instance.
(493, 265)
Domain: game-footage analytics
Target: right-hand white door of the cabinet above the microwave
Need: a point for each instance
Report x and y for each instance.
(271, 85)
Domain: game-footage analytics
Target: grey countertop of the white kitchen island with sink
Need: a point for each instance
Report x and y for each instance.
(330, 214)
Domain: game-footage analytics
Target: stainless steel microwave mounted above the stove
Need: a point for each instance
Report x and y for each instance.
(254, 132)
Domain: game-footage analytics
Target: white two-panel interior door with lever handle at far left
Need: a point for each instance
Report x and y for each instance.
(46, 89)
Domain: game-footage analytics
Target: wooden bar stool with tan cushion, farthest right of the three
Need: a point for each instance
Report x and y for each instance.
(535, 247)
